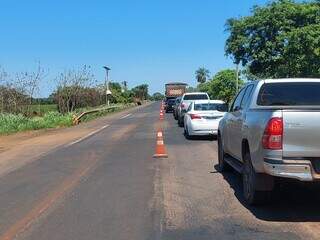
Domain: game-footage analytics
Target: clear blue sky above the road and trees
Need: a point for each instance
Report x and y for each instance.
(143, 41)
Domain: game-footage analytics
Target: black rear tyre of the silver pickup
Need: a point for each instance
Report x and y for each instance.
(250, 182)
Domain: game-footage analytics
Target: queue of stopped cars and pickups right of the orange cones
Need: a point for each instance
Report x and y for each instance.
(270, 132)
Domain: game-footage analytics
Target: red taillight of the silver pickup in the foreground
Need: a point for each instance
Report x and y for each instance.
(273, 134)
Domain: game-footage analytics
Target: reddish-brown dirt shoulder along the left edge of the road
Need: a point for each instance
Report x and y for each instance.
(19, 149)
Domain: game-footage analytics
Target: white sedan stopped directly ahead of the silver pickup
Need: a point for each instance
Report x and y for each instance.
(203, 116)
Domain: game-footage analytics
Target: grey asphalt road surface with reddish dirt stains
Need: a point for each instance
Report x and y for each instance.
(109, 187)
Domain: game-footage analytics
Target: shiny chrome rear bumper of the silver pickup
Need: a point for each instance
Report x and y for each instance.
(296, 169)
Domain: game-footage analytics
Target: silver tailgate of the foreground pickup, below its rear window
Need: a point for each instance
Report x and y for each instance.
(301, 133)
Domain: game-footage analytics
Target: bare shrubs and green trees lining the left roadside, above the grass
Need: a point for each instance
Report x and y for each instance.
(74, 89)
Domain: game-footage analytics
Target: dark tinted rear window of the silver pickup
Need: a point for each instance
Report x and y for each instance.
(289, 94)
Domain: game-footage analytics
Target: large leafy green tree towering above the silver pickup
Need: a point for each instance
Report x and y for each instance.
(281, 39)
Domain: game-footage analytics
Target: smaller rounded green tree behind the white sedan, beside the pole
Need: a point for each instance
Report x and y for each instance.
(222, 86)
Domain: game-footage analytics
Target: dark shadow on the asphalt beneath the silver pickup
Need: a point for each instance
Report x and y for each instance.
(292, 201)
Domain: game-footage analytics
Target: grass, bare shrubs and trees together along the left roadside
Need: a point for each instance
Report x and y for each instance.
(76, 91)
